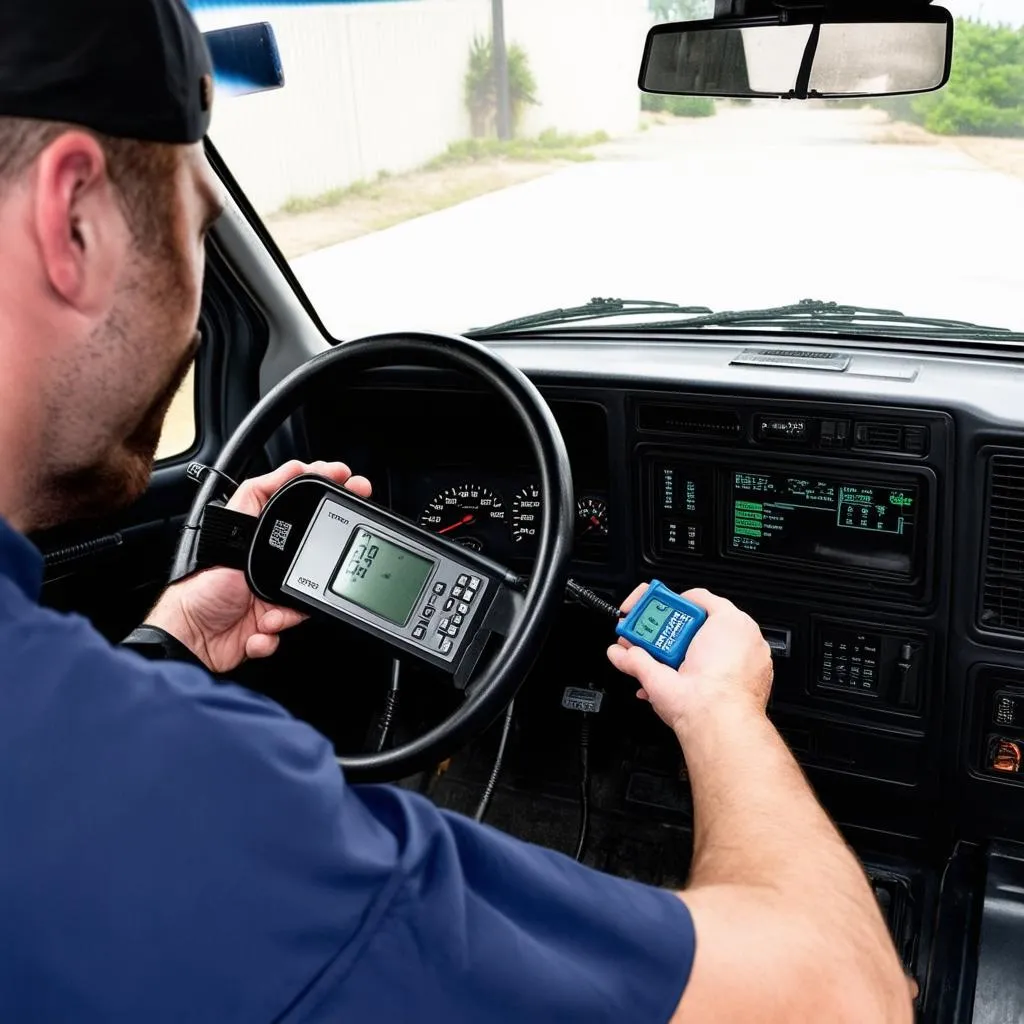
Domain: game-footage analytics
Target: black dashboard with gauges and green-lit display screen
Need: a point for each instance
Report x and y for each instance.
(871, 521)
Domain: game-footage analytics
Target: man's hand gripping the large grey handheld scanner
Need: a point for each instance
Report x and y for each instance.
(215, 614)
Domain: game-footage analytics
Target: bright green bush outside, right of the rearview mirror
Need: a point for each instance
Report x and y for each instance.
(986, 93)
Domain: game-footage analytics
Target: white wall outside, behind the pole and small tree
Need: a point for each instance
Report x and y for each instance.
(375, 88)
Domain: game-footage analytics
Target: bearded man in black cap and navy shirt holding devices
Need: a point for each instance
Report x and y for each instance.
(181, 850)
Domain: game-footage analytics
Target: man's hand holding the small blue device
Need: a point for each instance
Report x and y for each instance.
(729, 663)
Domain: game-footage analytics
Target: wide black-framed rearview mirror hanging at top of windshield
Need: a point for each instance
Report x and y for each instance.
(801, 56)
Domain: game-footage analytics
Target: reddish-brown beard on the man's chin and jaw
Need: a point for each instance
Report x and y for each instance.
(114, 482)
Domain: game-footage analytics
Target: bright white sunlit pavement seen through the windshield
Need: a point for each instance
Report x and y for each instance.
(757, 206)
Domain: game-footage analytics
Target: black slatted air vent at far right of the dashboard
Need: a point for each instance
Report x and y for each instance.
(1003, 587)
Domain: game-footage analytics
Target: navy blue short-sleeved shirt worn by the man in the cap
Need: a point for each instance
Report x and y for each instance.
(179, 850)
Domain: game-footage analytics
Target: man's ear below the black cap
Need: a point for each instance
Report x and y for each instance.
(80, 227)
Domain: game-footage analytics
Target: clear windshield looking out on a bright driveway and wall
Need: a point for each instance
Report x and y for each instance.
(379, 172)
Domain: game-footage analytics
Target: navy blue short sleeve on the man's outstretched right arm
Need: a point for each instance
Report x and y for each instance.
(487, 928)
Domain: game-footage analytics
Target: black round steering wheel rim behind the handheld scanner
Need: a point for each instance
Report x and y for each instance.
(497, 684)
